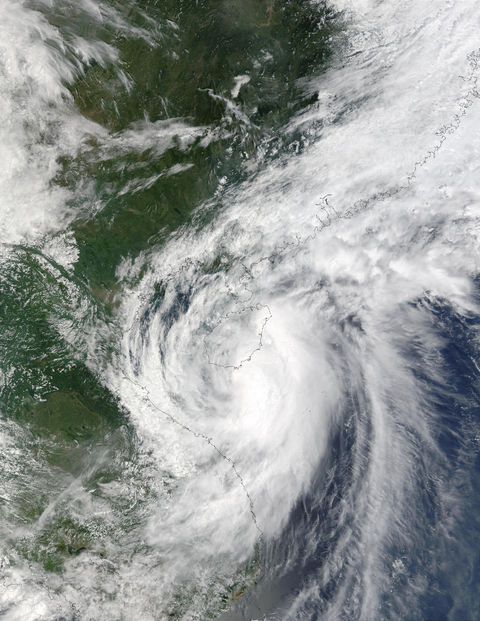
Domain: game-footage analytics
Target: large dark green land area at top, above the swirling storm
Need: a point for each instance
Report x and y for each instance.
(186, 69)
